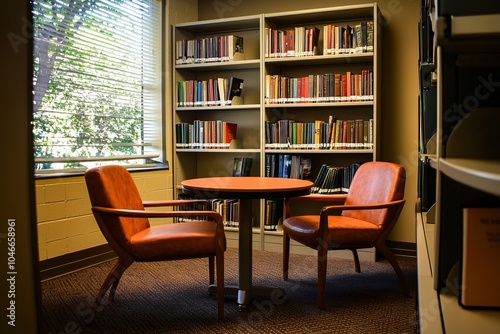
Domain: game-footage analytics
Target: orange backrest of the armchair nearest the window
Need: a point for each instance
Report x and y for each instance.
(112, 186)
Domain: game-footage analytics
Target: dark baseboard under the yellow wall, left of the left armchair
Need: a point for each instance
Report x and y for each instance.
(72, 262)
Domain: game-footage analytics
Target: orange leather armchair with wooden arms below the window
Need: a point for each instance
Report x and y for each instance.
(123, 220)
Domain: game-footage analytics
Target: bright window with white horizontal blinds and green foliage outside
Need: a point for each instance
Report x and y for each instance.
(97, 83)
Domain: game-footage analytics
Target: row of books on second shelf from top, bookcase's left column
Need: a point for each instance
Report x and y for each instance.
(211, 92)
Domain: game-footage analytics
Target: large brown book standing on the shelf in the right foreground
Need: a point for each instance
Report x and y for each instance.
(481, 257)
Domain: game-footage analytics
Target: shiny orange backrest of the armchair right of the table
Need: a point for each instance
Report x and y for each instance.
(376, 182)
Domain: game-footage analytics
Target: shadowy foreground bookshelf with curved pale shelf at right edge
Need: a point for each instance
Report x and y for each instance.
(466, 161)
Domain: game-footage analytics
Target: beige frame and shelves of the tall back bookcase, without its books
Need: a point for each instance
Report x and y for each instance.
(252, 116)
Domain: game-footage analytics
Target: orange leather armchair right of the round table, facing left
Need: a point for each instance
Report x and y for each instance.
(370, 211)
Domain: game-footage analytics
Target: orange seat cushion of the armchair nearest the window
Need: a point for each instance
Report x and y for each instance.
(174, 241)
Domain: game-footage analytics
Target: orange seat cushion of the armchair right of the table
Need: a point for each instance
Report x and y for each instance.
(344, 231)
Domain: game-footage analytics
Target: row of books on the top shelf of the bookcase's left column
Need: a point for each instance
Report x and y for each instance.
(210, 49)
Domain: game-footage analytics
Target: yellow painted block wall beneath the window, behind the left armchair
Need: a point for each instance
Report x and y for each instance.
(65, 221)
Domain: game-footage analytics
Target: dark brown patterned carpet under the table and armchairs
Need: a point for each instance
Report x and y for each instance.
(171, 297)
